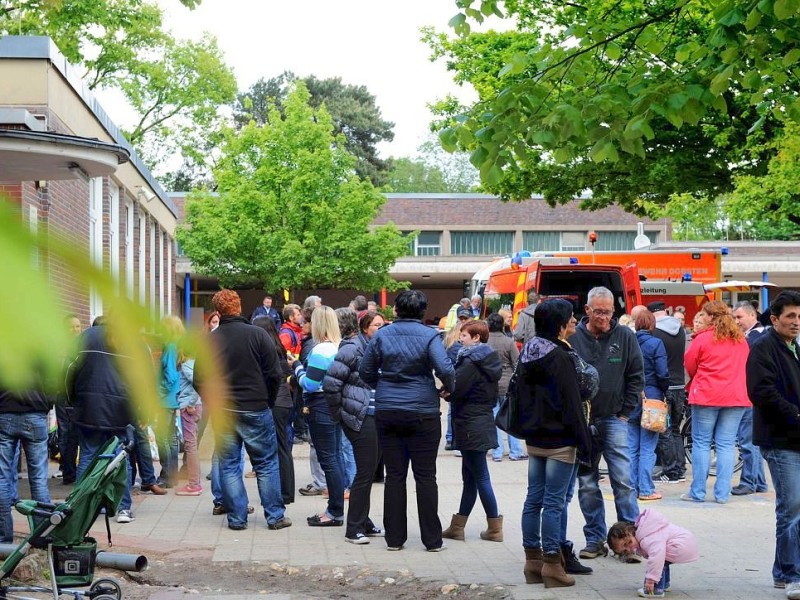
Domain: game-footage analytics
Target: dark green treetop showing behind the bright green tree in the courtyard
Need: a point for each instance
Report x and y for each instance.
(351, 107)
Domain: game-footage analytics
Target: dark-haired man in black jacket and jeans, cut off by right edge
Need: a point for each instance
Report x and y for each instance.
(773, 384)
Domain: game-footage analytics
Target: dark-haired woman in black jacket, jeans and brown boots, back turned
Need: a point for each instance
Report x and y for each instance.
(557, 436)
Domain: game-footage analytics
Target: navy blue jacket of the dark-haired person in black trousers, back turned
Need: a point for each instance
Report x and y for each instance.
(400, 361)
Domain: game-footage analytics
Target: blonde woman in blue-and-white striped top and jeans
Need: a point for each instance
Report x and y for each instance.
(326, 434)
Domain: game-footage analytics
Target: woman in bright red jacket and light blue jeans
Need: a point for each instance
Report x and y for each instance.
(715, 362)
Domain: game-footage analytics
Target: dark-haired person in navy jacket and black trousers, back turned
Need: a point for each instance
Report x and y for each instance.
(399, 363)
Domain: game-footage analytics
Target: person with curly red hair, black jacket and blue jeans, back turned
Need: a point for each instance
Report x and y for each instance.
(248, 360)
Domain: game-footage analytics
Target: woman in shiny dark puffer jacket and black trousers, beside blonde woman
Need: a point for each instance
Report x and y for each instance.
(352, 404)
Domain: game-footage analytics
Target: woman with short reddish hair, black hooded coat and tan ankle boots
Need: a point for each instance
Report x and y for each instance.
(478, 369)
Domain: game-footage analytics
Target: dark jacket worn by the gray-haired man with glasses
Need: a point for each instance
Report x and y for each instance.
(616, 356)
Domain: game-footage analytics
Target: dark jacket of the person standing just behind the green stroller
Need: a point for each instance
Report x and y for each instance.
(95, 387)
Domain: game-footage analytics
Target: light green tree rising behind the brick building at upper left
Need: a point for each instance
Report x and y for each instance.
(175, 86)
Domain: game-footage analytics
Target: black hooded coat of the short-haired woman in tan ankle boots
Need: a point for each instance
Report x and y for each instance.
(478, 369)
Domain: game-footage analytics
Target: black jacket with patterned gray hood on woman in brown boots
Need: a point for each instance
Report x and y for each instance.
(550, 405)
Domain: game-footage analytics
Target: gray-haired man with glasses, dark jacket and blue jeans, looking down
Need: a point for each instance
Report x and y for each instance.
(614, 352)
